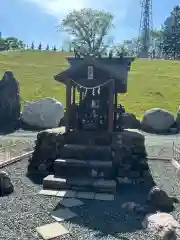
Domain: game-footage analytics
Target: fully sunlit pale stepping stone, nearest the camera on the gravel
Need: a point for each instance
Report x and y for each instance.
(50, 231)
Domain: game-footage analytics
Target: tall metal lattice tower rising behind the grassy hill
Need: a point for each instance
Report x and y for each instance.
(145, 30)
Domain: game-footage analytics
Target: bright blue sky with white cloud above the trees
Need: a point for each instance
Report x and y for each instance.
(36, 20)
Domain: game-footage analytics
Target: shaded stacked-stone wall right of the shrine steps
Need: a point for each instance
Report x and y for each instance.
(129, 156)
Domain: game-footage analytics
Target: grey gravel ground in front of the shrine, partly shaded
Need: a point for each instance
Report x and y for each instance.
(24, 210)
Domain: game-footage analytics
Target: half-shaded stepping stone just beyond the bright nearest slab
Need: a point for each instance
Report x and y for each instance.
(63, 214)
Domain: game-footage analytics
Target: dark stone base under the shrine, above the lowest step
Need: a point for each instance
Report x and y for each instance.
(117, 155)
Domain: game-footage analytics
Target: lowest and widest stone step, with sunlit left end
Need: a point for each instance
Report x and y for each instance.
(79, 184)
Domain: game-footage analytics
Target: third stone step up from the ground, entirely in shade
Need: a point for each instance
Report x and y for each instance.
(86, 152)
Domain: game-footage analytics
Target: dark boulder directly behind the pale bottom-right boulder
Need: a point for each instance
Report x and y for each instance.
(159, 200)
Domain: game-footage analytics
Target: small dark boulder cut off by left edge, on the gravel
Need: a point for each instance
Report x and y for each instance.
(6, 186)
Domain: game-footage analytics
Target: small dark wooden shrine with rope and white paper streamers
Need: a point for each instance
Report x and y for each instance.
(92, 86)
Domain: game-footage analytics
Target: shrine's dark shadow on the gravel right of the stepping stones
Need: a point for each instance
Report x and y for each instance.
(108, 217)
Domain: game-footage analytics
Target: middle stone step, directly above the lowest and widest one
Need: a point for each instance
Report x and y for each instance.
(75, 167)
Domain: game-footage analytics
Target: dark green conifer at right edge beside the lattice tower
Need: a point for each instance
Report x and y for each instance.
(171, 34)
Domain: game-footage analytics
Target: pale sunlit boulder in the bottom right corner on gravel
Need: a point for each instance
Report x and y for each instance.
(162, 225)
